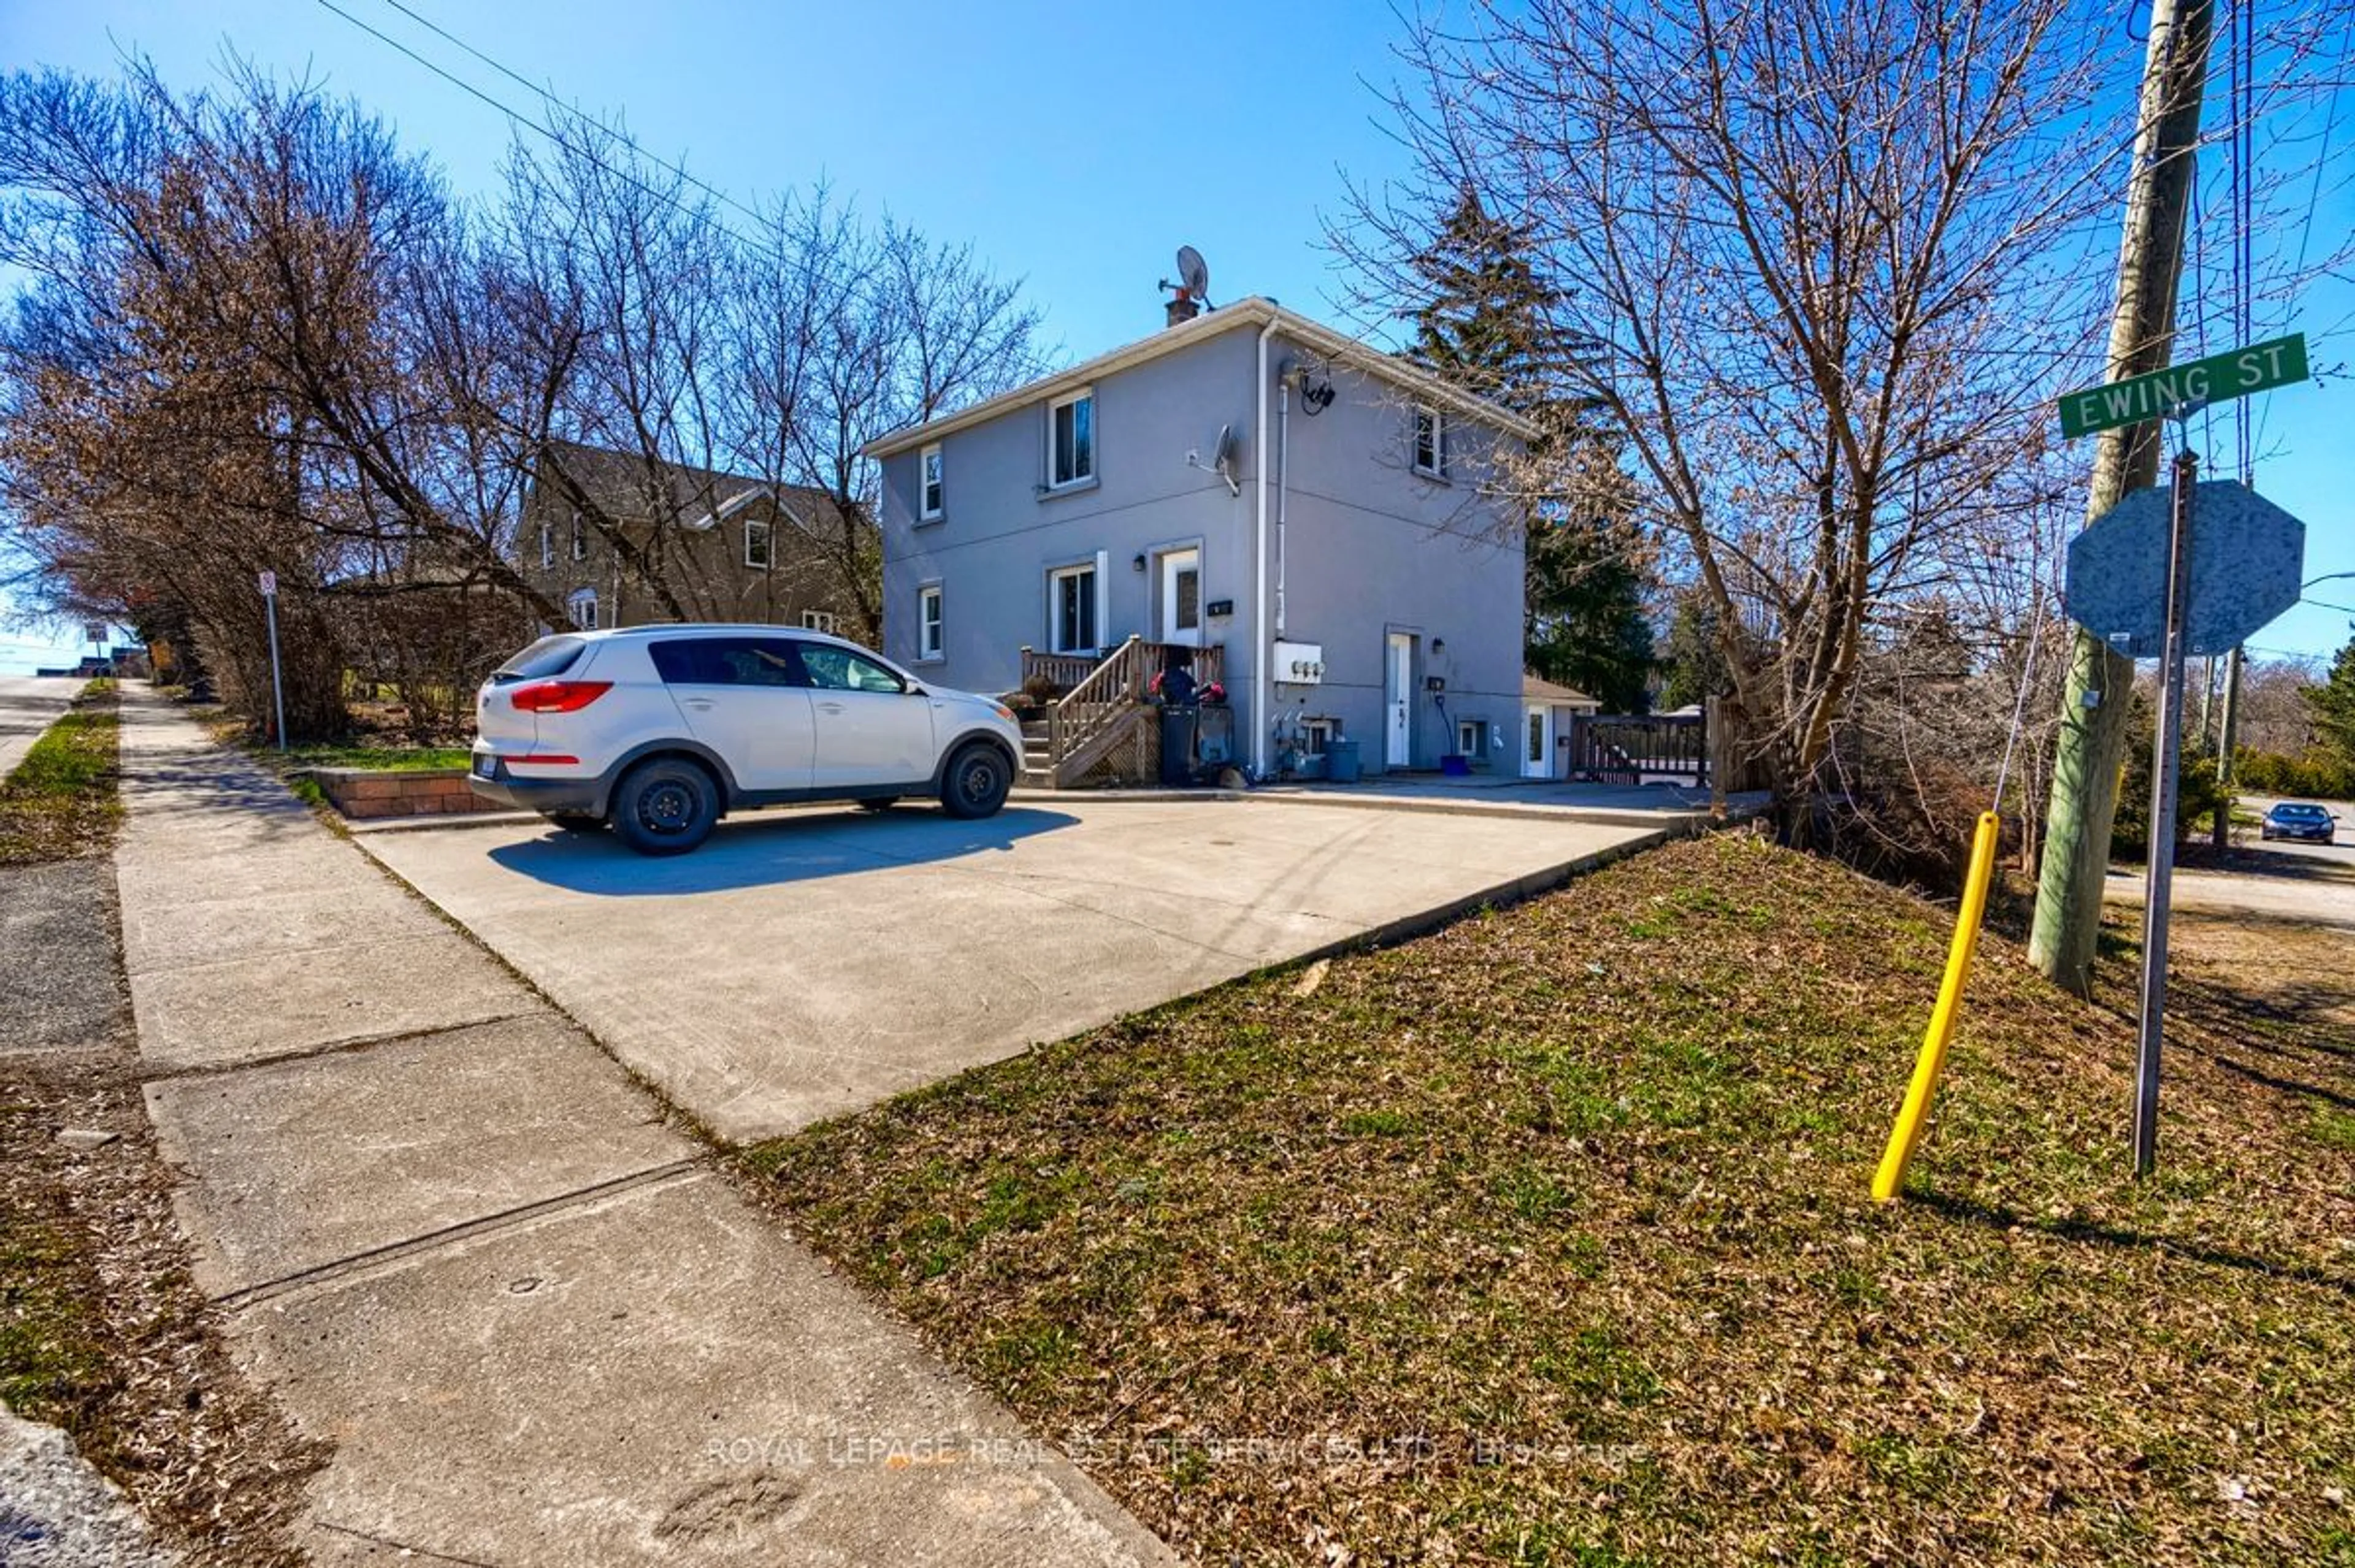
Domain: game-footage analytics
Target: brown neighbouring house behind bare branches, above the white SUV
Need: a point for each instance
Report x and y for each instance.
(623, 540)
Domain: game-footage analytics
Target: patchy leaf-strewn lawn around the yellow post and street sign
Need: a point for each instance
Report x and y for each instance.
(1546, 1240)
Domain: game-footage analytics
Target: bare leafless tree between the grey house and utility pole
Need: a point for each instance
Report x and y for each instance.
(1815, 260)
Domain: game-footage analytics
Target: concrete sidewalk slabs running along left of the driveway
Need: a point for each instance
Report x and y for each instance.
(477, 1261)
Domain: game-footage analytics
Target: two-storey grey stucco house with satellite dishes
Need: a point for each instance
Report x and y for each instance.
(1322, 514)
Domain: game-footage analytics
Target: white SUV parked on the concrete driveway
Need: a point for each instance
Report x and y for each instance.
(658, 731)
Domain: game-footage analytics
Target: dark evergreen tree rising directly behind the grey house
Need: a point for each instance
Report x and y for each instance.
(1490, 326)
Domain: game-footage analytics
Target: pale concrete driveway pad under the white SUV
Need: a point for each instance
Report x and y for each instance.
(814, 962)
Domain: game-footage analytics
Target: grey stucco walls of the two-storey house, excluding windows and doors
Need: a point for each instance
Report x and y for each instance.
(1369, 547)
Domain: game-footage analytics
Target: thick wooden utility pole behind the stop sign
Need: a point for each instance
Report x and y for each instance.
(2142, 340)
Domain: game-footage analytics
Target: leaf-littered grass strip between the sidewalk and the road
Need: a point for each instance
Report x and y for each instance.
(102, 1331)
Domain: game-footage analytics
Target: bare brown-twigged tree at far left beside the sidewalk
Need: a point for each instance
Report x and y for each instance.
(263, 371)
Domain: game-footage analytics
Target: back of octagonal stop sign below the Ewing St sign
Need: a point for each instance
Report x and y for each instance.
(2243, 569)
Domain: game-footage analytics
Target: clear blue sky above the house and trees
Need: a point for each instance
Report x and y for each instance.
(1075, 145)
